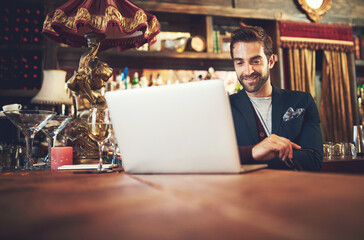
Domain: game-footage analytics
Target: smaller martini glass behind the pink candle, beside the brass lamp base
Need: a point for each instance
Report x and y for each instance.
(51, 129)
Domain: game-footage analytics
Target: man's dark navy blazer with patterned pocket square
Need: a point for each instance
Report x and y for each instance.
(303, 130)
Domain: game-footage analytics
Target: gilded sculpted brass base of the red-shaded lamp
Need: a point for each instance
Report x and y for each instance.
(86, 83)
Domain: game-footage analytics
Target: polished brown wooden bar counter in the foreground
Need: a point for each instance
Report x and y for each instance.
(265, 204)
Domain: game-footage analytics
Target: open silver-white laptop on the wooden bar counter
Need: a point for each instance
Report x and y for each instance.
(179, 128)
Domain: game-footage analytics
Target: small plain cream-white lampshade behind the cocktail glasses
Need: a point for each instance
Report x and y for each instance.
(53, 90)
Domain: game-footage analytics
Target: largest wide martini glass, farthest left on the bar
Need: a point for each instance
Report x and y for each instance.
(29, 122)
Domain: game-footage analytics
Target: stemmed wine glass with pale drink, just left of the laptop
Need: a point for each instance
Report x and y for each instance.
(99, 127)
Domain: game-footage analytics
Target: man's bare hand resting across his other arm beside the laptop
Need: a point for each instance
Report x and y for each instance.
(274, 146)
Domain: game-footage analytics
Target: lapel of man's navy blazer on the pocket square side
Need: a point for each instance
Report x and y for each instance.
(278, 107)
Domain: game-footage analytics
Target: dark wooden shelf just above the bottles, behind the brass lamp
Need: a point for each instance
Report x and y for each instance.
(69, 58)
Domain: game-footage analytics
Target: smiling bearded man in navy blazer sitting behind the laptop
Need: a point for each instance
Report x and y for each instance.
(273, 126)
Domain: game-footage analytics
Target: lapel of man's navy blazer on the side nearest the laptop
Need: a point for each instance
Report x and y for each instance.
(244, 108)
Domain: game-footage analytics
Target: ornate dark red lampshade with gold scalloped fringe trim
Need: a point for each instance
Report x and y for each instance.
(122, 24)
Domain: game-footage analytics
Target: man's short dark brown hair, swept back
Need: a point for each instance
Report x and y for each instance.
(252, 34)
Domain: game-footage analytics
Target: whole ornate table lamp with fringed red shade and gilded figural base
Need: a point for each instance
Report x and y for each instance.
(98, 25)
